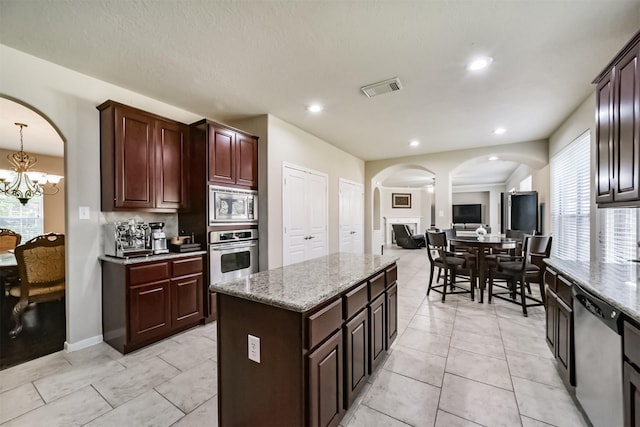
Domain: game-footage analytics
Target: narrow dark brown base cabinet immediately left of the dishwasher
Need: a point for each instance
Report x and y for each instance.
(559, 323)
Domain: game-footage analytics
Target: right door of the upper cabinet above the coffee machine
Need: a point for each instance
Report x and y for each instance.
(171, 181)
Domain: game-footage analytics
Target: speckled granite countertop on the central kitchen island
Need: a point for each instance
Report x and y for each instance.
(302, 286)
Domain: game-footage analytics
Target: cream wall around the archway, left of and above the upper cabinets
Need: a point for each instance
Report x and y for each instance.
(69, 99)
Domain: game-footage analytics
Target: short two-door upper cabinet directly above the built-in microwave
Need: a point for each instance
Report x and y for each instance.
(232, 155)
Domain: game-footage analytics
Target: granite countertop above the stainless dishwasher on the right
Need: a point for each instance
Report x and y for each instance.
(617, 284)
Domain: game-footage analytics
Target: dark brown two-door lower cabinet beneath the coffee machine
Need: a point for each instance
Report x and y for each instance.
(147, 301)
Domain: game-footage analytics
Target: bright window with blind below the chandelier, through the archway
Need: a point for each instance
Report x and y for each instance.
(25, 220)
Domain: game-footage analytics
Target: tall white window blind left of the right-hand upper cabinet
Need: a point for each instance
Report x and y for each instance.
(570, 196)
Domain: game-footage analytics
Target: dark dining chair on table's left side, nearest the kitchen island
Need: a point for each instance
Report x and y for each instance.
(453, 265)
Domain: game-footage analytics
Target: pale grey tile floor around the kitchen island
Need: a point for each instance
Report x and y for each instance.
(455, 364)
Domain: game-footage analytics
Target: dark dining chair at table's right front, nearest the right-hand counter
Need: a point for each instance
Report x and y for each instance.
(519, 271)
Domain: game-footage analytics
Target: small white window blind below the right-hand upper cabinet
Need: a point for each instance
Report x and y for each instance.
(618, 235)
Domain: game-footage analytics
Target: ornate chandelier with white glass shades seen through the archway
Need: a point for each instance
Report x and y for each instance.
(23, 183)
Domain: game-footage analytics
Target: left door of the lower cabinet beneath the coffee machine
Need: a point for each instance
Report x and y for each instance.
(149, 310)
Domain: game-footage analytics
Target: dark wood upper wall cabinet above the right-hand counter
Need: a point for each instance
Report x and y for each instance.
(618, 129)
